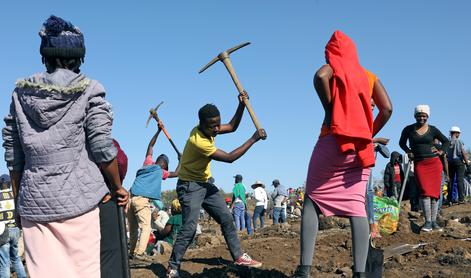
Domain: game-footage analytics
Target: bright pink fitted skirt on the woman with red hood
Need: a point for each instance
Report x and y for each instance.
(336, 182)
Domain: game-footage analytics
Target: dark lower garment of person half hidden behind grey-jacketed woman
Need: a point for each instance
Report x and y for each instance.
(111, 265)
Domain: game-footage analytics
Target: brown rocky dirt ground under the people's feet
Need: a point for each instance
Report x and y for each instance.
(444, 254)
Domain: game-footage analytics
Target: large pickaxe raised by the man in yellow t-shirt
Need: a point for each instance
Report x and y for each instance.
(224, 58)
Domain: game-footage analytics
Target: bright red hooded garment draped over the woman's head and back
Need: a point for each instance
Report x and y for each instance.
(352, 118)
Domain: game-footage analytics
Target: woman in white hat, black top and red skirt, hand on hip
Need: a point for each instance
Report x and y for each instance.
(427, 165)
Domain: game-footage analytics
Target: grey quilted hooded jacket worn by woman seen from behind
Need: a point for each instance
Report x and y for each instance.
(58, 128)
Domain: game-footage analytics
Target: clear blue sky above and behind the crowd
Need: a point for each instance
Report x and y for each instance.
(145, 52)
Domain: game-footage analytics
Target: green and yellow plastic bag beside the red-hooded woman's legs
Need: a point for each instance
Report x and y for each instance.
(386, 214)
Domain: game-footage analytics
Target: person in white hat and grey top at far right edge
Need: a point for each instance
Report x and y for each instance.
(457, 159)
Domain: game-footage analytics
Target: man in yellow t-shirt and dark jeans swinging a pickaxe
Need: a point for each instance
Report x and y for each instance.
(196, 189)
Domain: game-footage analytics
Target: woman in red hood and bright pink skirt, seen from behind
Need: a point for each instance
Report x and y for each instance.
(341, 161)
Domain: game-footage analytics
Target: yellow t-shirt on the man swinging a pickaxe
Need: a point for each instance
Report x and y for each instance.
(196, 161)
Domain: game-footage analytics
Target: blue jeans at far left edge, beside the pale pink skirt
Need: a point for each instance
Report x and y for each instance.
(9, 254)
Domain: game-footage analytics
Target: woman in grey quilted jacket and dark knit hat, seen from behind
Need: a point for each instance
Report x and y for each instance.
(57, 131)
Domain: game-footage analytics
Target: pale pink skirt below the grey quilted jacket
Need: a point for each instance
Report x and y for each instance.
(68, 248)
